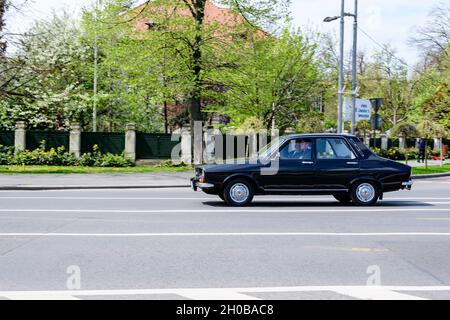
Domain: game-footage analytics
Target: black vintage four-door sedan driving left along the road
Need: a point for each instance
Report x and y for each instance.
(309, 164)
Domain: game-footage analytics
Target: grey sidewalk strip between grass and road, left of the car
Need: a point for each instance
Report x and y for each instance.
(94, 181)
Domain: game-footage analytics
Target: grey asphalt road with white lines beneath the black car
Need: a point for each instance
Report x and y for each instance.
(178, 244)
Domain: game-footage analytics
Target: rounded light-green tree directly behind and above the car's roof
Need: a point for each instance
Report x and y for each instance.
(274, 79)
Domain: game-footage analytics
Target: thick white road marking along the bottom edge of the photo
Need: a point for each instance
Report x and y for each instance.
(365, 292)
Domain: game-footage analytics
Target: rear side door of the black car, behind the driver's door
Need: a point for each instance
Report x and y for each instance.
(337, 163)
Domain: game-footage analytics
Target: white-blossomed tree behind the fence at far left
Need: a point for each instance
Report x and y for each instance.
(47, 89)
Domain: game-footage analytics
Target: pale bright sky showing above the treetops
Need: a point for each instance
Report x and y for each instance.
(385, 21)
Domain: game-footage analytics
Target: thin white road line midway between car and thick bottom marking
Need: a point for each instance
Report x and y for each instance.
(232, 234)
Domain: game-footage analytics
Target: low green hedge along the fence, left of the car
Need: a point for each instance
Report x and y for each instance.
(60, 157)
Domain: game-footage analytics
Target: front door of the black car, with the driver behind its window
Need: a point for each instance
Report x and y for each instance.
(296, 167)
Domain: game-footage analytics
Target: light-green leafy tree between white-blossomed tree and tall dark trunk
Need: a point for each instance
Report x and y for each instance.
(128, 77)
